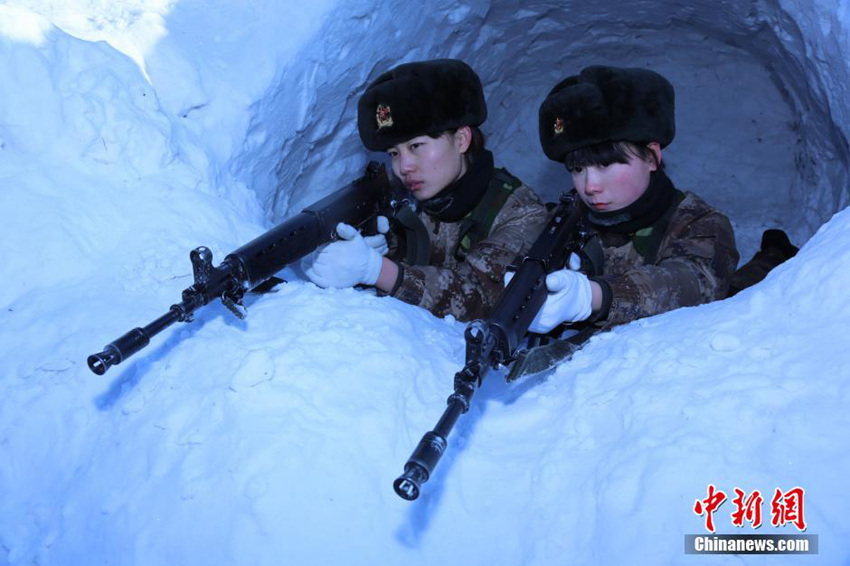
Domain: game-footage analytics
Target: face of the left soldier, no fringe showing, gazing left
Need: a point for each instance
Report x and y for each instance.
(428, 165)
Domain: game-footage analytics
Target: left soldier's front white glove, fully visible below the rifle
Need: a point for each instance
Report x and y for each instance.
(347, 262)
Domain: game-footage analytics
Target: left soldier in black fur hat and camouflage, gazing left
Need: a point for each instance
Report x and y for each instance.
(475, 219)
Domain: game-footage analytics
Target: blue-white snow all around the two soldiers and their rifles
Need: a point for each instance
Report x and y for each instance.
(132, 132)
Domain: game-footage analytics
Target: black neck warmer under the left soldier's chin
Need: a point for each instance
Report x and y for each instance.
(454, 202)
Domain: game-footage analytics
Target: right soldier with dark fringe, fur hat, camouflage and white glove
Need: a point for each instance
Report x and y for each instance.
(662, 248)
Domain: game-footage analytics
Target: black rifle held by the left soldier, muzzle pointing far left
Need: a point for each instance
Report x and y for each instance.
(252, 267)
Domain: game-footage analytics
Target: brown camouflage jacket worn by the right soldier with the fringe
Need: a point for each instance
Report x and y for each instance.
(693, 265)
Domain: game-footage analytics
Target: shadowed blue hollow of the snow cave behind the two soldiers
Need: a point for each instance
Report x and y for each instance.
(762, 112)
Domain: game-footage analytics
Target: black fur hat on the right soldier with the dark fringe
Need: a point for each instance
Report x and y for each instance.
(607, 104)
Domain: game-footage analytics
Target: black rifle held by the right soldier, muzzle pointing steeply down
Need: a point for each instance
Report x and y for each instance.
(495, 342)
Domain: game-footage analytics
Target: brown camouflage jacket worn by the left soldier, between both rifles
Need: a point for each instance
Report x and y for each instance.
(469, 287)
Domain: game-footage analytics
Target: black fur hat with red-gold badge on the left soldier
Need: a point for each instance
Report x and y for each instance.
(416, 99)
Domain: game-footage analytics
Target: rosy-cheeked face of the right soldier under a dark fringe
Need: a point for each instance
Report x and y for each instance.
(615, 186)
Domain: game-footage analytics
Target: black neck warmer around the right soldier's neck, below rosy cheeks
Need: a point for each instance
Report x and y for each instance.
(648, 208)
